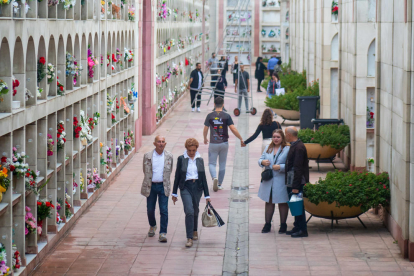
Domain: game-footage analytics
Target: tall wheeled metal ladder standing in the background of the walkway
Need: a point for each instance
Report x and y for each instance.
(241, 8)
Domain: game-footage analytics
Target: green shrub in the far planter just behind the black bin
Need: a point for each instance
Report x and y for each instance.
(289, 101)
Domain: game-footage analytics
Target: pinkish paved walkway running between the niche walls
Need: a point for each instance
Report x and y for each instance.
(110, 238)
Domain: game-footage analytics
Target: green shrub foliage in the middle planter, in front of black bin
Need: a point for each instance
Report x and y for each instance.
(338, 137)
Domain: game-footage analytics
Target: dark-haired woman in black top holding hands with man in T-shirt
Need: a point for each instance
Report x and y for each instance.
(267, 126)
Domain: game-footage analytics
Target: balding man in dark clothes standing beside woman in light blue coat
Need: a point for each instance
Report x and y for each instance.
(297, 163)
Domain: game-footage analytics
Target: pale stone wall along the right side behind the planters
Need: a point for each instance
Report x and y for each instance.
(361, 53)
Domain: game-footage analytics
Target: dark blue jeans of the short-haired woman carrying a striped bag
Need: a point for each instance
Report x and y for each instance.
(191, 196)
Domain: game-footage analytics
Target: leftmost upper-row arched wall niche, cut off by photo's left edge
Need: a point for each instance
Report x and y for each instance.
(5, 75)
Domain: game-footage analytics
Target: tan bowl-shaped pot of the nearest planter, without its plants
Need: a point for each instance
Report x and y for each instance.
(329, 211)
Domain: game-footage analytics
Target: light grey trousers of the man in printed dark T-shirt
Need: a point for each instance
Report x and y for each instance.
(218, 151)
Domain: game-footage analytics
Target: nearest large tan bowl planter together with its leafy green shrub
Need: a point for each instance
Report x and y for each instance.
(346, 194)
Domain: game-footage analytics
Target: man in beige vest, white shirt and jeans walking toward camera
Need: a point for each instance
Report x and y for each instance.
(157, 165)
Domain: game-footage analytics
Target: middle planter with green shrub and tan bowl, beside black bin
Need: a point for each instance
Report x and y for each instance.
(325, 142)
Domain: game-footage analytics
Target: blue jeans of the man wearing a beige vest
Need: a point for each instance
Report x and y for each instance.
(157, 190)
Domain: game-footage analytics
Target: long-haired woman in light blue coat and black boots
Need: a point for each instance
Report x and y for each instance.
(274, 191)
